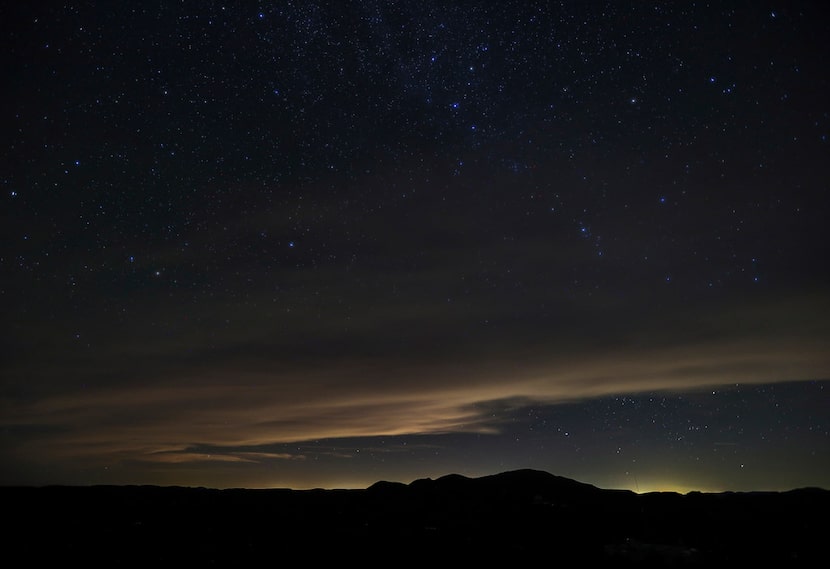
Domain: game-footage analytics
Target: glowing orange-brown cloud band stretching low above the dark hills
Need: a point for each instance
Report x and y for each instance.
(243, 405)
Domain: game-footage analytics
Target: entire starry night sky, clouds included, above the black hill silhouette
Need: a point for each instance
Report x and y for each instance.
(303, 244)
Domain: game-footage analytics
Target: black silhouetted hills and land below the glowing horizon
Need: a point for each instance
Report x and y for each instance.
(514, 518)
